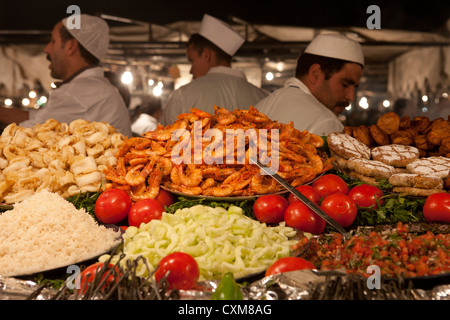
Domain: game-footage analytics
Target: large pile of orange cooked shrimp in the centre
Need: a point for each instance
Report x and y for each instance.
(207, 155)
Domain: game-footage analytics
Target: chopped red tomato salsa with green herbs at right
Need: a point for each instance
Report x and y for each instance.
(397, 253)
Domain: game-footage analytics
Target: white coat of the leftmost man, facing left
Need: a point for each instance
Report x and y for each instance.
(89, 96)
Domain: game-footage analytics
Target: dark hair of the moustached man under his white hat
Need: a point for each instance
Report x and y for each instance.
(328, 65)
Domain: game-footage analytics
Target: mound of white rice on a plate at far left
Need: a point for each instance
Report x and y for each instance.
(45, 232)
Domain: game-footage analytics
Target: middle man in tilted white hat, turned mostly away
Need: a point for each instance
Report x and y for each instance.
(210, 52)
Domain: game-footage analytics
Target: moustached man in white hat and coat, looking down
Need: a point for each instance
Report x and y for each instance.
(327, 74)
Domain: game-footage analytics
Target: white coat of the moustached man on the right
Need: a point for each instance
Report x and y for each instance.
(295, 102)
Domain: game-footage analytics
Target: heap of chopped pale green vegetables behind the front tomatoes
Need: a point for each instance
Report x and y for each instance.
(221, 240)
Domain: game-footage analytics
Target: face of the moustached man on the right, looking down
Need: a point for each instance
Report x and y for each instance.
(338, 91)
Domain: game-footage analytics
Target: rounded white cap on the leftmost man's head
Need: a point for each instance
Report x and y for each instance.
(92, 32)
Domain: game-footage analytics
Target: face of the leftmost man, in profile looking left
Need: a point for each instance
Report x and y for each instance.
(55, 53)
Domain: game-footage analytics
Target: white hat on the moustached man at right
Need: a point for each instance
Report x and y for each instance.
(336, 46)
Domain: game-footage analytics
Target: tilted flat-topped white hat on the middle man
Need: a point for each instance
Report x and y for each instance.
(221, 34)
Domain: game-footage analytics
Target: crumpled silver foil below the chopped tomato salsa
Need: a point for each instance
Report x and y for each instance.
(336, 285)
